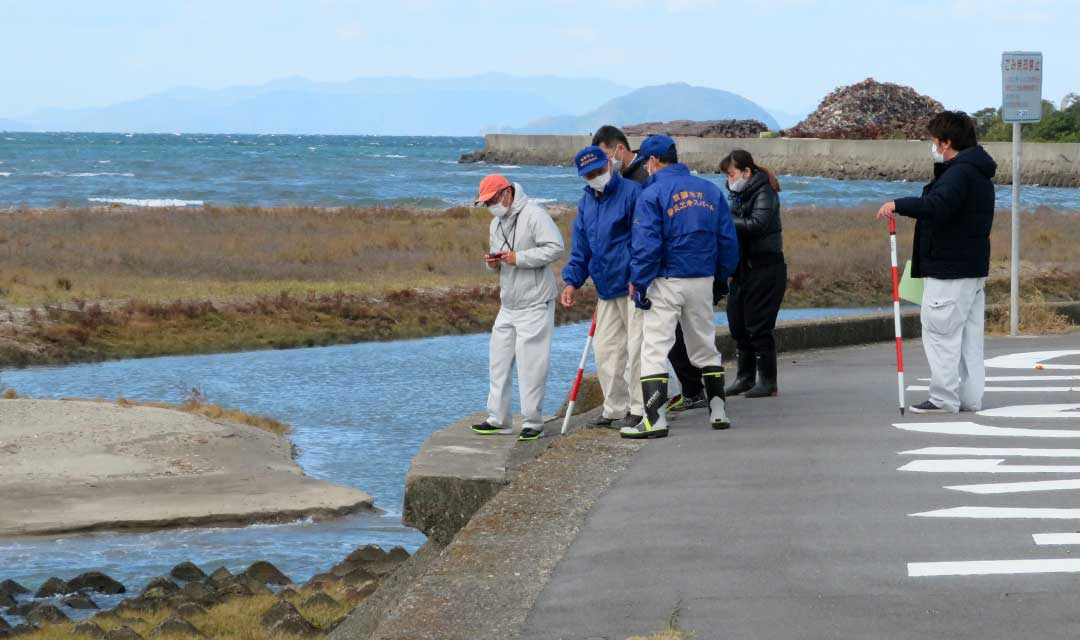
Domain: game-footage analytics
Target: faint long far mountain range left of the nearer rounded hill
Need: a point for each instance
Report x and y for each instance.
(375, 106)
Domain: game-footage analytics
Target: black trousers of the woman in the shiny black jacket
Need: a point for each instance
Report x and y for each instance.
(753, 304)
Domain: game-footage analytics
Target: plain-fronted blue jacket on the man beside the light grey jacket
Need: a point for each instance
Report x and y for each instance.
(601, 243)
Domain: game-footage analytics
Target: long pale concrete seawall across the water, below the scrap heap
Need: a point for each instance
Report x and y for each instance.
(1049, 165)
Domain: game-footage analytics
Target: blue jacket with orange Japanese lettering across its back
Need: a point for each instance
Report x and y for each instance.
(683, 228)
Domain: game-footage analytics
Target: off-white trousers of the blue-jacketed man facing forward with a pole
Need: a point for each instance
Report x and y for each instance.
(618, 345)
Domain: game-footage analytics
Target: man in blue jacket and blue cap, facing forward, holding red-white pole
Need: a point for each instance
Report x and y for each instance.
(601, 250)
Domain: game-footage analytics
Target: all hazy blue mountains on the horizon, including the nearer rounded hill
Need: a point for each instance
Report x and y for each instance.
(402, 106)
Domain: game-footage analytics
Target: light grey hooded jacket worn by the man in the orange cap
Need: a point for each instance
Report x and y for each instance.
(529, 232)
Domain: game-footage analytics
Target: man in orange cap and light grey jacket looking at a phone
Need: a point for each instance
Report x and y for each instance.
(524, 241)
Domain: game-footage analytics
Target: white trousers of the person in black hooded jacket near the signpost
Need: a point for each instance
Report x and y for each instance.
(953, 318)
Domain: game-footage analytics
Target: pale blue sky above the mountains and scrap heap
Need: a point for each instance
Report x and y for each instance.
(784, 55)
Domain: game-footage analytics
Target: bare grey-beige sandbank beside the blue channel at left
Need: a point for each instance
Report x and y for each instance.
(70, 467)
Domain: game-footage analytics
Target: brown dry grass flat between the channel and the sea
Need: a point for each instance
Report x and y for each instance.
(87, 284)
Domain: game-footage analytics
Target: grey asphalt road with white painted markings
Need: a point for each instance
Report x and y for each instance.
(800, 524)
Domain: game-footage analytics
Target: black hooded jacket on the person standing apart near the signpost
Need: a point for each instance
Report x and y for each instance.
(954, 217)
